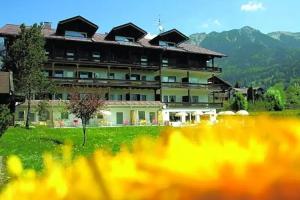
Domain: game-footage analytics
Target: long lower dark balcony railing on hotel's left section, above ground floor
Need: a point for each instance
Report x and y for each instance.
(105, 82)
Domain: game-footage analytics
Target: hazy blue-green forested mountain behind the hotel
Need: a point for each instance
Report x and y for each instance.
(254, 57)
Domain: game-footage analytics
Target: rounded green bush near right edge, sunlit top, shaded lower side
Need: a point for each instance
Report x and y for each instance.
(274, 100)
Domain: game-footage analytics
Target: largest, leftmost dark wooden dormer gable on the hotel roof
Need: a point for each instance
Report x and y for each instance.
(77, 23)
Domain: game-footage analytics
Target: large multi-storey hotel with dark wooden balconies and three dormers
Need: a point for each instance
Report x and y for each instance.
(144, 81)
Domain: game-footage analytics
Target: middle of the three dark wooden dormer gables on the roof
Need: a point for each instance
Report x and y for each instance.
(126, 30)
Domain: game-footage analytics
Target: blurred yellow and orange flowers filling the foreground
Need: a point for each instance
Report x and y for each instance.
(220, 163)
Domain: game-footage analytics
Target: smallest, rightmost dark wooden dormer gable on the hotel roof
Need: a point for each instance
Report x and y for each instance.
(169, 36)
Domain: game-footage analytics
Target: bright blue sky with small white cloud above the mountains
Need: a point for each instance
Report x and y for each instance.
(189, 16)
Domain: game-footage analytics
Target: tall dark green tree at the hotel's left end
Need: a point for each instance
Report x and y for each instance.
(25, 58)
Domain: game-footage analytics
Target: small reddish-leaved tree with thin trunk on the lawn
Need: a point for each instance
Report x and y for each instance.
(85, 107)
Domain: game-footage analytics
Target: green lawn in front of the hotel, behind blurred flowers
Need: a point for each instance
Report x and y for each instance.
(31, 144)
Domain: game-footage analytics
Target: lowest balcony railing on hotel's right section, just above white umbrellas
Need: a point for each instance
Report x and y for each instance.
(193, 104)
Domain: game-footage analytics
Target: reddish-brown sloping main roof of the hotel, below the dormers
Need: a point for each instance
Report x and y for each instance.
(13, 30)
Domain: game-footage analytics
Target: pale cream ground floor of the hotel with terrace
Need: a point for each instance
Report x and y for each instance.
(116, 113)
